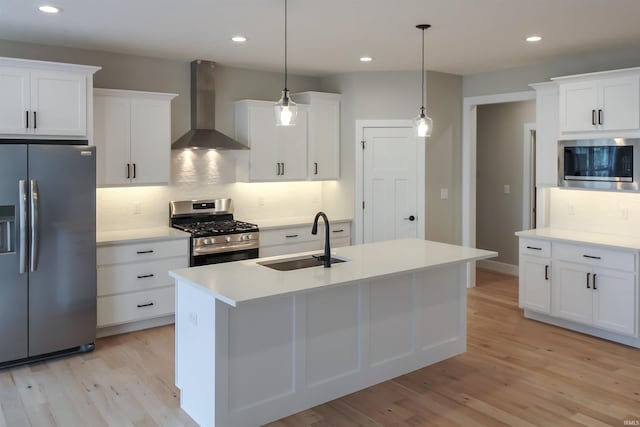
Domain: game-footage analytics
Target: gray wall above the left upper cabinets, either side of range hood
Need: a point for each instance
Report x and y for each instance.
(160, 75)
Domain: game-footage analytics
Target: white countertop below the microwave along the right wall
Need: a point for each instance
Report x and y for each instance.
(560, 234)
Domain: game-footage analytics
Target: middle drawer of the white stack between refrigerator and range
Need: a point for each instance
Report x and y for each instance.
(118, 278)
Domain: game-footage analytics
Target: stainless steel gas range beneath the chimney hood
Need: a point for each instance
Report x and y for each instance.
(215, 236)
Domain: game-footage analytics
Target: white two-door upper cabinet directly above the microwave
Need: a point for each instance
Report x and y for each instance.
(600, 103)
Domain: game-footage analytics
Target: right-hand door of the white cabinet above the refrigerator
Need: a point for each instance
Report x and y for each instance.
(58, 103)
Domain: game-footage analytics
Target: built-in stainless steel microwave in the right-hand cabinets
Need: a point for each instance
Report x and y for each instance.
(599, 164)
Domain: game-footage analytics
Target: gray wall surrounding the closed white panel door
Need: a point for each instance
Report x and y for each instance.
(396, 95)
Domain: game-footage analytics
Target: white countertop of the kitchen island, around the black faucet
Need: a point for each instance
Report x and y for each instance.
(242, 281)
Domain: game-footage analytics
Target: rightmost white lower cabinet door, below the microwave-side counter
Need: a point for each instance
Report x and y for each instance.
(614, 303)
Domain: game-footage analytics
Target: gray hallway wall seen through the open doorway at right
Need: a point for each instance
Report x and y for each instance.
(500, 139)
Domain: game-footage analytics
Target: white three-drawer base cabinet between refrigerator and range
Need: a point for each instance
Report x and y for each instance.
(133, 281)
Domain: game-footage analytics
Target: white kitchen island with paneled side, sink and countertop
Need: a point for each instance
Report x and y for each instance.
(254, 344)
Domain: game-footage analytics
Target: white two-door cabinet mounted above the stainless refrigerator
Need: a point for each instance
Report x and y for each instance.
(41, 99)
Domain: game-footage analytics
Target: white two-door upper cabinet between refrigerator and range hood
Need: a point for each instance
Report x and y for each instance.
(132, 135)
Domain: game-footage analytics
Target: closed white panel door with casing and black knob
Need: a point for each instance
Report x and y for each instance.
(390, 181)
